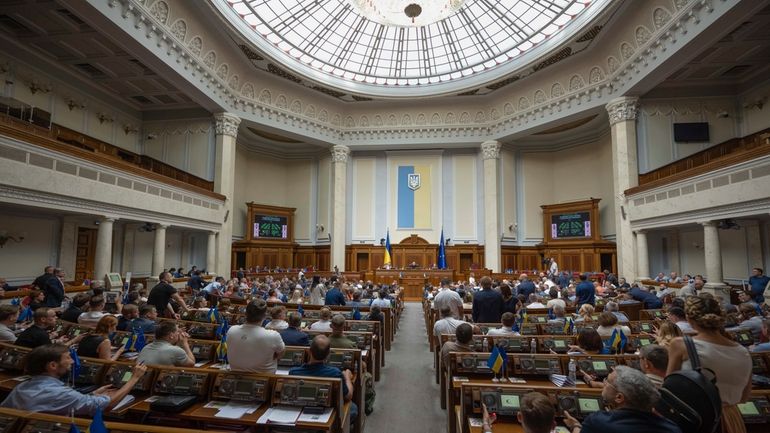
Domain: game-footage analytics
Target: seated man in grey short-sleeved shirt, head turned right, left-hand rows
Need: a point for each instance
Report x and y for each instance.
(169, 348)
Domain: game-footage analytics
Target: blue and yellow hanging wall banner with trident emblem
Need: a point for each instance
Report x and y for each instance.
(414, 197)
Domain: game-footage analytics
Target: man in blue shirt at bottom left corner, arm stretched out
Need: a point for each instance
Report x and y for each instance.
(45, 392)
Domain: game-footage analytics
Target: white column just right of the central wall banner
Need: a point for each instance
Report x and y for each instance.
(490, 152)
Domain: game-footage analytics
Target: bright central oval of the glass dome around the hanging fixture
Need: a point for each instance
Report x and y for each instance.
(409, 13)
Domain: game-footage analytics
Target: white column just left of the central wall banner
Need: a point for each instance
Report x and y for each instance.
(340, 155)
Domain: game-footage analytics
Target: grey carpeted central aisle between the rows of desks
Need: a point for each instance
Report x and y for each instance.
(407, 394)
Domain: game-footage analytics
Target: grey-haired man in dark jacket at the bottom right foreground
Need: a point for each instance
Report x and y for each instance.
(631, 397)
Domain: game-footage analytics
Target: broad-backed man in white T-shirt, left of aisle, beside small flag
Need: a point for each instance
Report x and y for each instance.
(250, 347)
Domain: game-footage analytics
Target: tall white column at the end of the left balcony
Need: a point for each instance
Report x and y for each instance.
(224, 183)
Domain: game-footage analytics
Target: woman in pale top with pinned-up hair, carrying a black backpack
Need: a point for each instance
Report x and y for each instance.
(730, 362)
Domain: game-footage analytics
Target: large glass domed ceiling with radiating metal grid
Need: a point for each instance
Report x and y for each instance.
(394, 48)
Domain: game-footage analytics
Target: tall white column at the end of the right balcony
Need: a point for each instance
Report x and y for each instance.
(625, 173)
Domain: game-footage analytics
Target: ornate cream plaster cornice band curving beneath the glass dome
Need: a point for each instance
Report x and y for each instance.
(658, 35)
